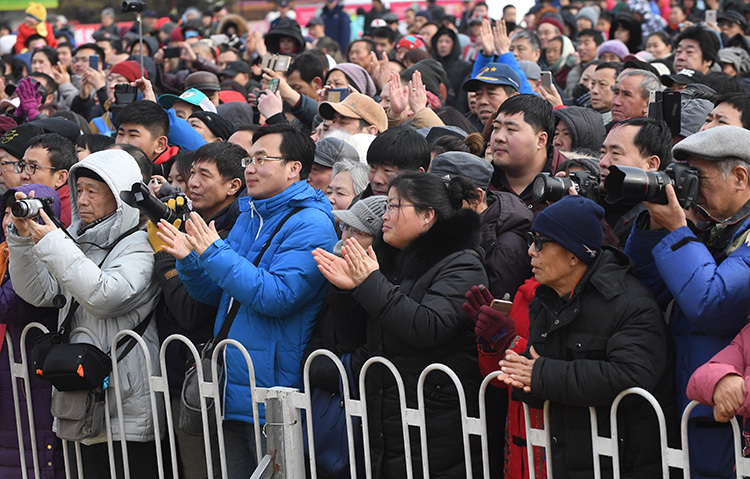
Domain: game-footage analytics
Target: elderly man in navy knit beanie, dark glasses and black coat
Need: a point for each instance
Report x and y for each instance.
(594, 330)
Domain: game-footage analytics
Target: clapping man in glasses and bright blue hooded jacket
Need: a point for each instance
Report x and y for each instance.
(280, 297)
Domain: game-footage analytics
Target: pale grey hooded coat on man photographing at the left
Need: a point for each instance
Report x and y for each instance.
(115, 296)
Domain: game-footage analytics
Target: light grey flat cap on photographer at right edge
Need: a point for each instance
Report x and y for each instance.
(715, 144)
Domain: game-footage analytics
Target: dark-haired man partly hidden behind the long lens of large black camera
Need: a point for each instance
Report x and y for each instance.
(638, 142)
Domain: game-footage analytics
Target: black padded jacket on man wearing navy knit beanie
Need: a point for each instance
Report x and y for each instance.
(608, 337)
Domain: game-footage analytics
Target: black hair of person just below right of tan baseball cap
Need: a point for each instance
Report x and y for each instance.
(401, 147)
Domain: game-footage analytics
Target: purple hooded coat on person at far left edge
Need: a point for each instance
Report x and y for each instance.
(16, 314)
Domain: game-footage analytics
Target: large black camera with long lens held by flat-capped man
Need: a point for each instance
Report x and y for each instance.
(631, 185)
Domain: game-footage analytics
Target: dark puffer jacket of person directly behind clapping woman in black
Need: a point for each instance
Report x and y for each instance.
(504, 226)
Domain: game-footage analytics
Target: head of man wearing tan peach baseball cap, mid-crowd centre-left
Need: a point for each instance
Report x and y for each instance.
(357, 113)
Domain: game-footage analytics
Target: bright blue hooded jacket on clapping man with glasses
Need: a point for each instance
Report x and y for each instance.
(280, 298)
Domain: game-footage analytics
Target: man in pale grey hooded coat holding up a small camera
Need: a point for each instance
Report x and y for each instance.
(104, 269)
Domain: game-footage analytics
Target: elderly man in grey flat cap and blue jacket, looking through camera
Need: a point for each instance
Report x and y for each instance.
(699, 259)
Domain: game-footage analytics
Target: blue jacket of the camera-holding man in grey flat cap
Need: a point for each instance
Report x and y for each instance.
(711, 300)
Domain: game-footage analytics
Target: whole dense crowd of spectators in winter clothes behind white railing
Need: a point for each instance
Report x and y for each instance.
(561, 195)
